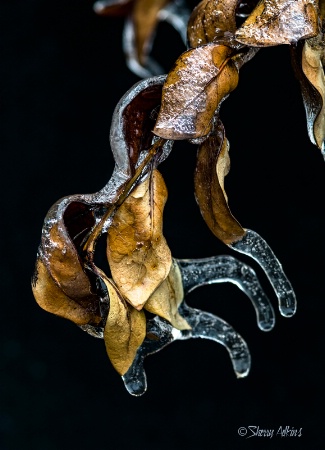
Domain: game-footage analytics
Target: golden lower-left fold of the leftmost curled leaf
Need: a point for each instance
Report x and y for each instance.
(51, 298)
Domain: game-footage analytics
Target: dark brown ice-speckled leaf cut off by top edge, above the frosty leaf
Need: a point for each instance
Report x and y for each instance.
(210, 19)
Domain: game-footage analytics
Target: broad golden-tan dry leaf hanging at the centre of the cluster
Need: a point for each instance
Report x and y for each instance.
(137, 251)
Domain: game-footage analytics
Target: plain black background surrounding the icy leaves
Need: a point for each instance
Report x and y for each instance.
(62, 73)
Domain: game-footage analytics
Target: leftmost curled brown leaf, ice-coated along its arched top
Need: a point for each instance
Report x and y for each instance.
(60, 281)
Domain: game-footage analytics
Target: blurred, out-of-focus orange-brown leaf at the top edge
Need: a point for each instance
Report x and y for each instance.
(145, 19)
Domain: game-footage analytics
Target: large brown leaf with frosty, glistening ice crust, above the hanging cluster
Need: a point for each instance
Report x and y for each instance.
(201, 79)
